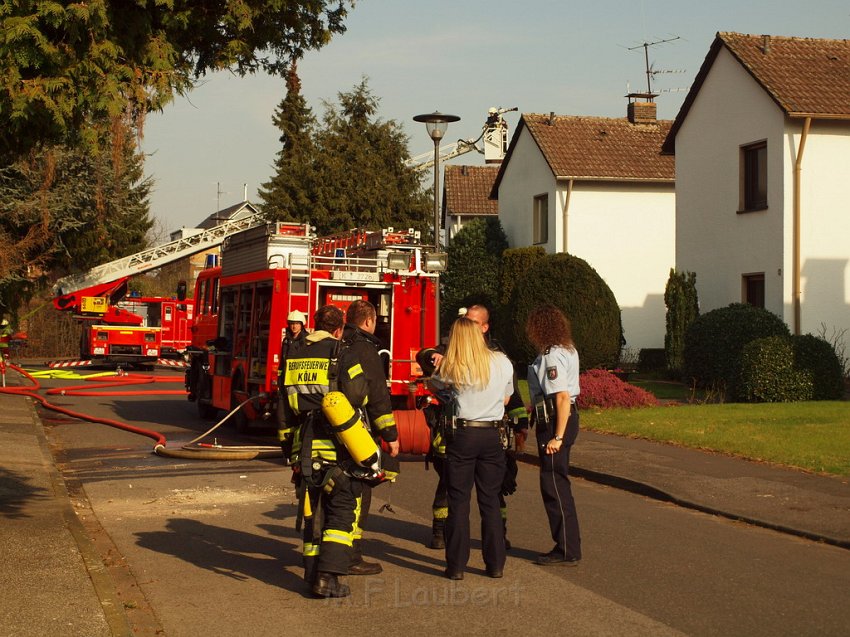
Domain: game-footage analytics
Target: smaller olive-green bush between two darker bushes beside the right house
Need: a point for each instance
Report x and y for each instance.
(768, 374)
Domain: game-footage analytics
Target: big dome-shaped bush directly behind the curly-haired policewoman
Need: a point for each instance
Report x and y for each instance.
(577, 289)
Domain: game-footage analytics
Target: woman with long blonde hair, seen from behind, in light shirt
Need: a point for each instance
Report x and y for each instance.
(481, 382)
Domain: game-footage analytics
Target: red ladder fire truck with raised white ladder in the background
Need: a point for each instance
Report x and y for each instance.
(120, 329)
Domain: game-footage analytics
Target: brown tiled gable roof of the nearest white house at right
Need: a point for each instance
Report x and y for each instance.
(805, 77)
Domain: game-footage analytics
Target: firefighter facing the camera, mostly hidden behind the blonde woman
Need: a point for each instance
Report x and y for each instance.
(516, 412)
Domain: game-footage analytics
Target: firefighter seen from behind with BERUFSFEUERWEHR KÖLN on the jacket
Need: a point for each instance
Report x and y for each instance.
(328, 481)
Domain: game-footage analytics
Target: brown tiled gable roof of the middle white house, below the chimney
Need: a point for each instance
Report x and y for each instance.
(597, 148)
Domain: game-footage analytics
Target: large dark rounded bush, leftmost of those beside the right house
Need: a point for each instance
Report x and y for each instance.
(715, 340)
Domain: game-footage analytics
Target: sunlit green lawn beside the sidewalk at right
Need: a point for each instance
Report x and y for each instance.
(812, 435)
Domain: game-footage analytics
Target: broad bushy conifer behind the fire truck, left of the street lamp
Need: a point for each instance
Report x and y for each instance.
(363, 179)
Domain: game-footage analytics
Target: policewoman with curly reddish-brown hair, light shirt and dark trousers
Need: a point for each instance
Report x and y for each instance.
(553, 382)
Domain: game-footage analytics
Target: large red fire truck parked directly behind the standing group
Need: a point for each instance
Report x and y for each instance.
(269, 271)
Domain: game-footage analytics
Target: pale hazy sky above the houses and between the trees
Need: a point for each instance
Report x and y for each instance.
(205, 151)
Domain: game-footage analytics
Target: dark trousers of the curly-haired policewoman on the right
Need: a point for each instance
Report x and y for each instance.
(556, 490)
